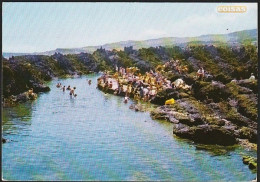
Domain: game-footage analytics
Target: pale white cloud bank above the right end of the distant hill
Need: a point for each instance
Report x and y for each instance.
(215, 23)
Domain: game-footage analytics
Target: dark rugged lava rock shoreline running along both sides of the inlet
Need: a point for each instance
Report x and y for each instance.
(220, 109)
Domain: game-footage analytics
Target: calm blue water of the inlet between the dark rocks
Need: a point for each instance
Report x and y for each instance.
(97, 137)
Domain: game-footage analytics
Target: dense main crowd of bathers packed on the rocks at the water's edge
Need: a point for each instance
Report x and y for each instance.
(132, 83)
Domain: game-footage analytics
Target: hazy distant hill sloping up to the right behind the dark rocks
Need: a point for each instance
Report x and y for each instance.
(234, 38)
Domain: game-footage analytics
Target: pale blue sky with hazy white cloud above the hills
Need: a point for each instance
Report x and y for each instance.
(36, 27)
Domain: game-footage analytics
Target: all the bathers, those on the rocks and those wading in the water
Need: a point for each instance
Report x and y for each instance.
(129, 82)
